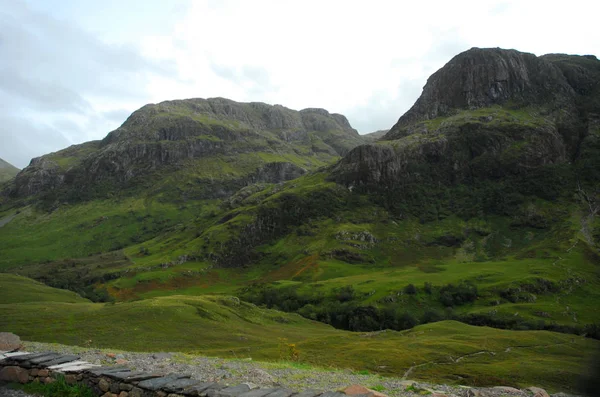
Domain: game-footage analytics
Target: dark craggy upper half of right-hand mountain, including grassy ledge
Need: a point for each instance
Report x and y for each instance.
(487, 114)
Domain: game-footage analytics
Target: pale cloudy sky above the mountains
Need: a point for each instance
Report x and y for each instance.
(73, 70)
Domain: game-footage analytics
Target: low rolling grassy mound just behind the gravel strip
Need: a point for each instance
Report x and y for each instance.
(220, 325)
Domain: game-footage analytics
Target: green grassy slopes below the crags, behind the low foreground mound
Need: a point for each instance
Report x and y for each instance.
(533, 269)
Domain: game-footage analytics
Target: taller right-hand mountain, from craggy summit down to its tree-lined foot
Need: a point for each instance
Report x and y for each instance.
(480, 204)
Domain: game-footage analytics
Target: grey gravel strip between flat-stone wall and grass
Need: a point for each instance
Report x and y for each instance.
(296, 377)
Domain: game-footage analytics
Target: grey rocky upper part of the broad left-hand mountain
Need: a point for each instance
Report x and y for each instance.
(171, 135)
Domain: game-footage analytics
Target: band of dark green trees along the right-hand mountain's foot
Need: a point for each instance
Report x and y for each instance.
(343, 307)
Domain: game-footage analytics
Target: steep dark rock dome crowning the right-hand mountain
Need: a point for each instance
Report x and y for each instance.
(482, 77)
